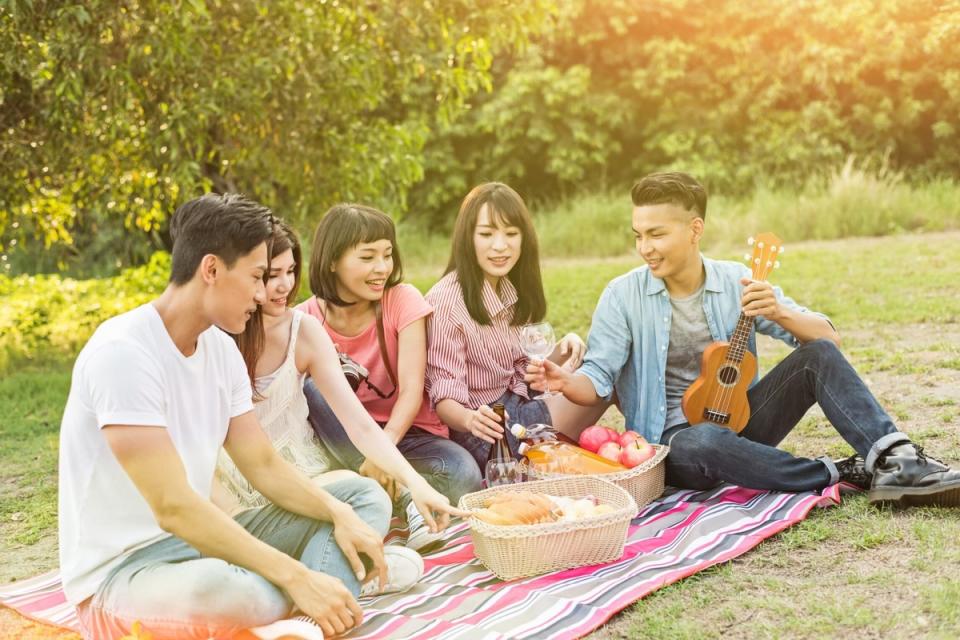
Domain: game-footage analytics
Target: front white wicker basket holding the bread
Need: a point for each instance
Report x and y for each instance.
(519, 551)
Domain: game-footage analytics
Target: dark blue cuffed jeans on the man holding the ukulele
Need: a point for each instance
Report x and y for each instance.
(704, 455)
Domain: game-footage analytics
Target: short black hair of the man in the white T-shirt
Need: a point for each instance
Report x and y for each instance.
(227, 225)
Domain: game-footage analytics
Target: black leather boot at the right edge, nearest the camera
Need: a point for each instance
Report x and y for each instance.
(904, 475)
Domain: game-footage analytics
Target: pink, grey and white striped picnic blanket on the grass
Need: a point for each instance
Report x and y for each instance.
(458, 599)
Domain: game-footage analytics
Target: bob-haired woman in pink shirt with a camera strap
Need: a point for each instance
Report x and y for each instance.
(379, 322)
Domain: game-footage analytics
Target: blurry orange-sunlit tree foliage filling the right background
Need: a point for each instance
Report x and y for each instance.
(739, 92)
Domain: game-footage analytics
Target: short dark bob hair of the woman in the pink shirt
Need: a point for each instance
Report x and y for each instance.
(343, 227)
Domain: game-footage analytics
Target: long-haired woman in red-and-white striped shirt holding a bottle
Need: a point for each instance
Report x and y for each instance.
(492, 288)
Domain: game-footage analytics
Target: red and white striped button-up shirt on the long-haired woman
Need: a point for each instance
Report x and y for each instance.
(467, 362)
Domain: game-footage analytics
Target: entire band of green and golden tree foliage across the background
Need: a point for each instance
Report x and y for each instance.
(111, 113)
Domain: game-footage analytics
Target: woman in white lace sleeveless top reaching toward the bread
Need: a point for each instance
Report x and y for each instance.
(281, 347)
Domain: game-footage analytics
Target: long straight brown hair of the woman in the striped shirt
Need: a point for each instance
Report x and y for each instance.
(506, 208)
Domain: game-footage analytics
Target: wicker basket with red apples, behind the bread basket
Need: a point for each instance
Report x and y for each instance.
(643, 471)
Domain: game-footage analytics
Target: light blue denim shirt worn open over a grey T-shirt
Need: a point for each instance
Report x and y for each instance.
(630, 334)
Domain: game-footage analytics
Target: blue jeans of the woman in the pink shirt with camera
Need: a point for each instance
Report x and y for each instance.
(447, 466)
